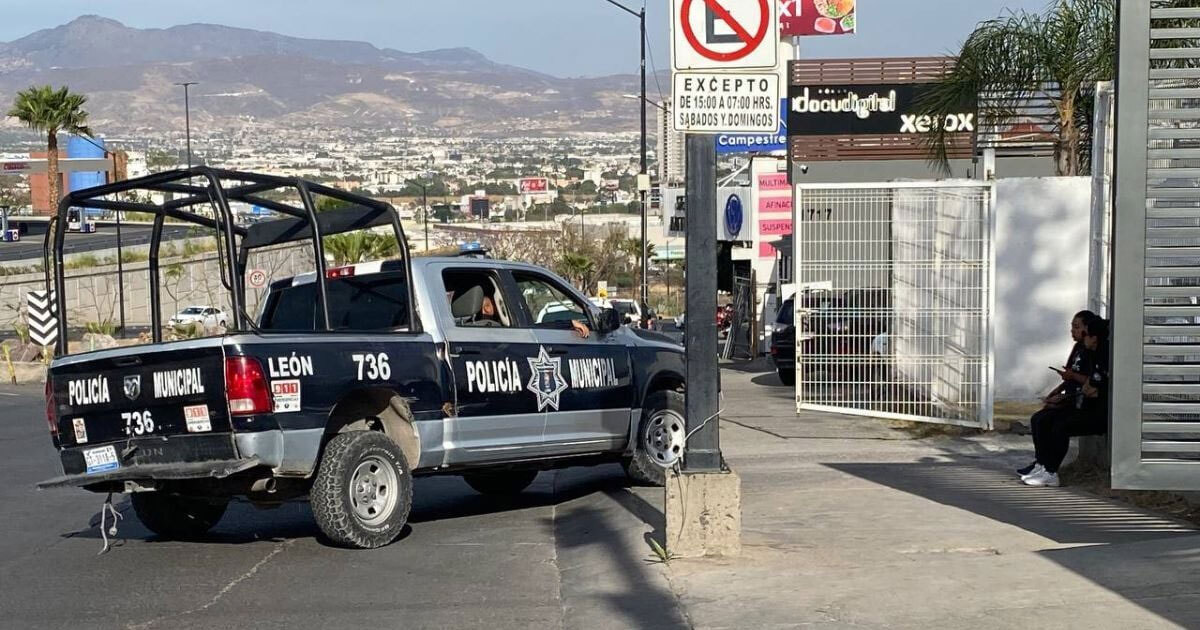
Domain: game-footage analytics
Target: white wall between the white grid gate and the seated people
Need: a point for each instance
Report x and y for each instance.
(1042, 268)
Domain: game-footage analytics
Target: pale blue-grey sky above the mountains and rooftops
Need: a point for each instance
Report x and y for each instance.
(563, 38)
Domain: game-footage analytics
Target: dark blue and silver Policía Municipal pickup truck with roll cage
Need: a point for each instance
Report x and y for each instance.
(351, 381)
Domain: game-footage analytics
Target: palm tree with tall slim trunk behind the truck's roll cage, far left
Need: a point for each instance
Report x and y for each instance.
(46, 110)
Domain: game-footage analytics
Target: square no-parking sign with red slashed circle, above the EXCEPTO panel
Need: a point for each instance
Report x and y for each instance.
(724, 34)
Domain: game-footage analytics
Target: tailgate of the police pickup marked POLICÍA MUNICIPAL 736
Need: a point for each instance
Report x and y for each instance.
(141, 406)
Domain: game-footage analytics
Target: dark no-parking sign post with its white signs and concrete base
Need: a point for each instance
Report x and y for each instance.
(713, 46)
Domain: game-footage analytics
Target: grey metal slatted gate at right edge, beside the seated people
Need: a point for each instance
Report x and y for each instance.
(1156, 260)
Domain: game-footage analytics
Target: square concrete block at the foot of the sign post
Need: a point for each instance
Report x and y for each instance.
(704, 514)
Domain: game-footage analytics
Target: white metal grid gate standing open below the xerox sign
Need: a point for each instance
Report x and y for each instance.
(905, 333)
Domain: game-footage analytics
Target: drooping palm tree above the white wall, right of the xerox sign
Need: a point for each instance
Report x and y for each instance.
(1023, 59)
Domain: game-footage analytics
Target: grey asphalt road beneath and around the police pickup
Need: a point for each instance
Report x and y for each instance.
(568, 554)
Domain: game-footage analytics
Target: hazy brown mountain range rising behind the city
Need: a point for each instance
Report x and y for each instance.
(275, 81)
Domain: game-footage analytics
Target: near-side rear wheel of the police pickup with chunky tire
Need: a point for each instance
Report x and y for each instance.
(332, 493)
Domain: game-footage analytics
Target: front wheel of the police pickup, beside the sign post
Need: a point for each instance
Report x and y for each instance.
(661, 439)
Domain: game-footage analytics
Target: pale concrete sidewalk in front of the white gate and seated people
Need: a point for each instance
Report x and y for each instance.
(848, 523)
